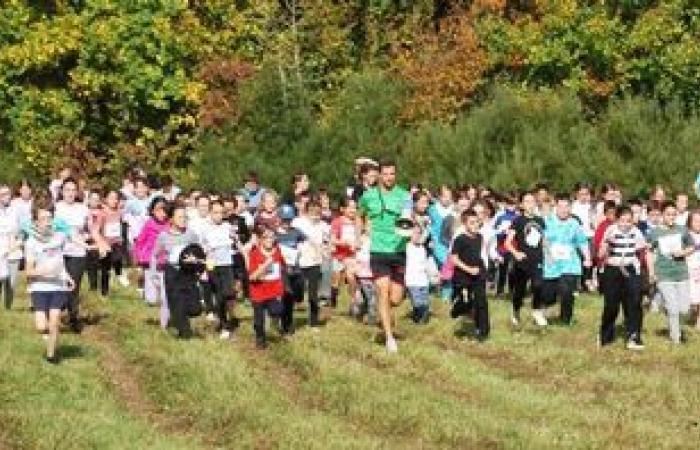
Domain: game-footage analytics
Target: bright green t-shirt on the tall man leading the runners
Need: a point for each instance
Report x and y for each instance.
(382, 209)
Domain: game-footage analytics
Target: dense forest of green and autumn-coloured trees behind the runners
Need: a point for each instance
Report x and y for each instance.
(503, 92)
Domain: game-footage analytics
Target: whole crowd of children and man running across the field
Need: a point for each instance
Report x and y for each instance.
(200, 253)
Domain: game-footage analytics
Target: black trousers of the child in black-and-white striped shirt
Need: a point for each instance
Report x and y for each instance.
(622, 288)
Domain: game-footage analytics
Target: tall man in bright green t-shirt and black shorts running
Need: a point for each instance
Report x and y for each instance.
(381, 206)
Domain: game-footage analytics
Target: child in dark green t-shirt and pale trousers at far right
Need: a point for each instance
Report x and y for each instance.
(671, 245)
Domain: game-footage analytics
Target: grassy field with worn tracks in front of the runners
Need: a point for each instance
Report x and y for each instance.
(124, 383)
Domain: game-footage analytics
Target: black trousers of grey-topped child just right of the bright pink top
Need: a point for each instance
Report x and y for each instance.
(179, 287)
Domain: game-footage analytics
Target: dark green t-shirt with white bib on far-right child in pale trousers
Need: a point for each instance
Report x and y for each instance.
(663, 242)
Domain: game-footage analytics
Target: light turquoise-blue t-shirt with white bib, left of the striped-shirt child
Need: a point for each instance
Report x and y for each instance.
(562, 239)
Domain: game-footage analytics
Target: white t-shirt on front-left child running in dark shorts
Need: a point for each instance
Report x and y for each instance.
(48, 257)
